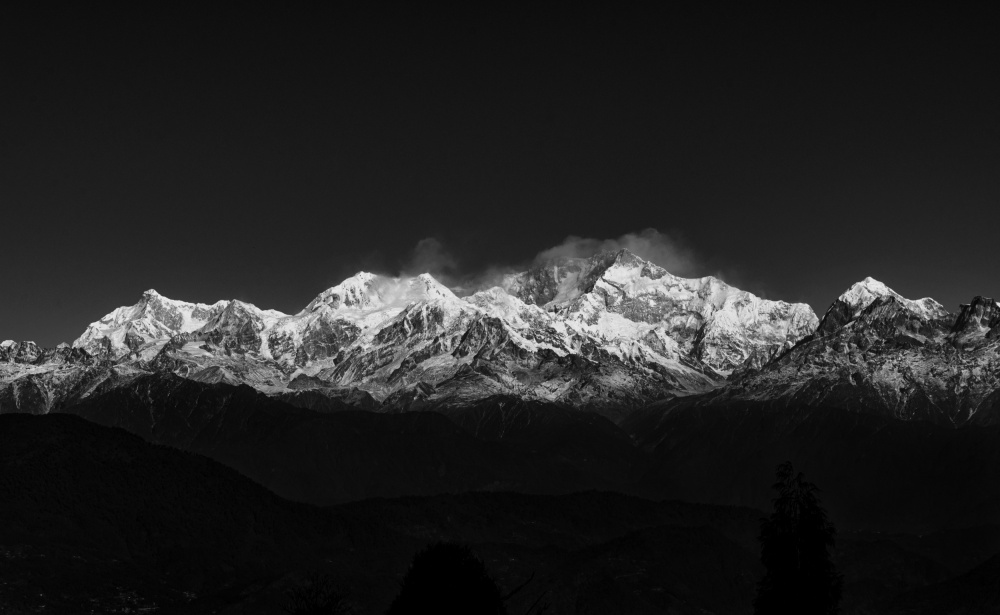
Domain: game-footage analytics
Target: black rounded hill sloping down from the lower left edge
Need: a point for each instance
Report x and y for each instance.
(88, 510)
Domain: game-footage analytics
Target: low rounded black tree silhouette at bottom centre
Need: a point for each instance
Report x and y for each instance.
(447, 578)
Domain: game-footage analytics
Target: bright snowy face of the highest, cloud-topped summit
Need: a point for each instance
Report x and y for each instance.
(620, 297)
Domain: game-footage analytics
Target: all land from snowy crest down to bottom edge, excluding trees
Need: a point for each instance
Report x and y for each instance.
(554, 421)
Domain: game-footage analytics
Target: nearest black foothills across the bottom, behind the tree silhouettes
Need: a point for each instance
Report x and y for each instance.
(97, 520)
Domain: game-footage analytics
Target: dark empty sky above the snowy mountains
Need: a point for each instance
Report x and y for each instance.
(266, 156)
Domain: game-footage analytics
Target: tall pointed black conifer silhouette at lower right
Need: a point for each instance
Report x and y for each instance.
(795, 549)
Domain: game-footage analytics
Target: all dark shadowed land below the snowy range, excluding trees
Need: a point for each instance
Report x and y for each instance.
(207, 498)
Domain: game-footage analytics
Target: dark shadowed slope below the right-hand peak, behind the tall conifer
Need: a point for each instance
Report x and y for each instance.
(876, 472)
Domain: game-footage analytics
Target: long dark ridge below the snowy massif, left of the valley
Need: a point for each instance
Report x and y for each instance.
(331, 457)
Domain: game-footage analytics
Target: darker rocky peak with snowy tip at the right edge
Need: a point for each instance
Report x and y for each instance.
(876, 351)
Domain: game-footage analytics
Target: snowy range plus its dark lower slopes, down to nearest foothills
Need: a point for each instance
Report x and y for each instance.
(599, 373)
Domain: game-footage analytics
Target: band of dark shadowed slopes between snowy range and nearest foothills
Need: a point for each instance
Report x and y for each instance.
(881, 473)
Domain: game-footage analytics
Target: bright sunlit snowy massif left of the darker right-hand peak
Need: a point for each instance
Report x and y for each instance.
(608, 333)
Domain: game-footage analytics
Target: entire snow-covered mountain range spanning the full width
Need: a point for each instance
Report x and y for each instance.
(610, 334)
